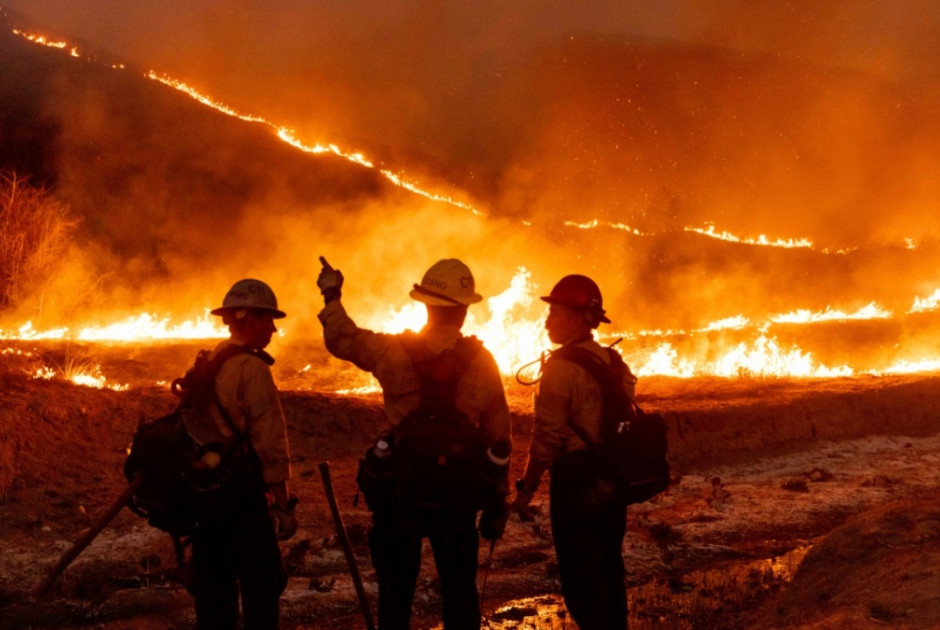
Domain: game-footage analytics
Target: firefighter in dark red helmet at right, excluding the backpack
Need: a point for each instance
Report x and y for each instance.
(588, 525)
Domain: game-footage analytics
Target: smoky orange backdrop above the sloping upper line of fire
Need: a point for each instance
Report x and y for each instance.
(490, 92)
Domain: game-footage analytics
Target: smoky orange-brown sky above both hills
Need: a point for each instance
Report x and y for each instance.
(451, 79)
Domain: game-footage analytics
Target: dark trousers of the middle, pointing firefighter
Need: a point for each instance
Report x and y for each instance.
(395, 544)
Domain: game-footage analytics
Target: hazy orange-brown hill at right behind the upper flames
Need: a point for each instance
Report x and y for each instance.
(661, 135)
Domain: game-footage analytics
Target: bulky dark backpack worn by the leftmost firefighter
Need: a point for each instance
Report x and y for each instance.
(183, 484)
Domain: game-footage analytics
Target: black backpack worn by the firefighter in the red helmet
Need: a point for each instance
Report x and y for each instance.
(631, 452)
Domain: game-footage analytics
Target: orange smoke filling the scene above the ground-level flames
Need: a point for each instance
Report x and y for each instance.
(794, 121)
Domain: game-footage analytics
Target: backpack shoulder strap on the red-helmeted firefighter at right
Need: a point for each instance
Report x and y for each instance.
(610, 379)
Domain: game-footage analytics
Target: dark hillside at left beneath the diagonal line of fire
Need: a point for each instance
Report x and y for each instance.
(140, 162)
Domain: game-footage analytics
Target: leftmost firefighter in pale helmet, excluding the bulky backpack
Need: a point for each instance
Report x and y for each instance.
(237, 552)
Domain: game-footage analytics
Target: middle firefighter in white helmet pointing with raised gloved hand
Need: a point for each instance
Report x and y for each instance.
(399, 522)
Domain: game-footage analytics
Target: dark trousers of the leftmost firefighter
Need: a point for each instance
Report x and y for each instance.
(238, 553)
